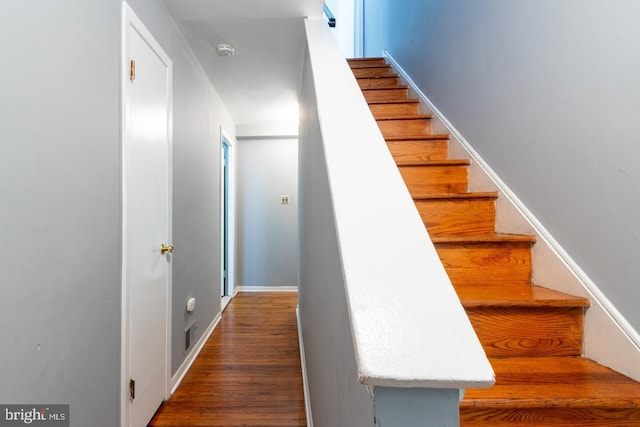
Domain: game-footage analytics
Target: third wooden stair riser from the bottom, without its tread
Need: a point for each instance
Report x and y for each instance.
(476, 264)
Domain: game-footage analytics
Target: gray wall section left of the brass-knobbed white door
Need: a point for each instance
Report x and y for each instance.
(60, 206)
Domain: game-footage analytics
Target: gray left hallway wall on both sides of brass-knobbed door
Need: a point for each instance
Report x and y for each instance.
(61, 200)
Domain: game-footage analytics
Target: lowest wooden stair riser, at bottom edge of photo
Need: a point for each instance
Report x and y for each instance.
(552, 417)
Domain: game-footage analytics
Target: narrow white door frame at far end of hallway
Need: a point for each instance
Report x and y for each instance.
(231, 171)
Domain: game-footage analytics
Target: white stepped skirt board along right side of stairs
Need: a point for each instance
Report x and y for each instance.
(609, 338)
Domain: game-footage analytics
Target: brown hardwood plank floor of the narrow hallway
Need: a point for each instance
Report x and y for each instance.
(248, 373)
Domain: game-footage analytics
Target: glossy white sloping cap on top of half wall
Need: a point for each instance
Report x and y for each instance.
(409, 328)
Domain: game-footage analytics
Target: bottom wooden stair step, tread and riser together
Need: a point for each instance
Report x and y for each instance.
(552, 391)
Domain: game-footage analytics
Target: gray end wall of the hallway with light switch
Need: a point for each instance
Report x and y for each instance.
(267, 230)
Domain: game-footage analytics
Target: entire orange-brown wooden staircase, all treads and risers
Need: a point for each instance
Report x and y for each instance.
(533, 336)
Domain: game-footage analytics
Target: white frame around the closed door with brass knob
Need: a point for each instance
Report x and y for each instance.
(130, 19)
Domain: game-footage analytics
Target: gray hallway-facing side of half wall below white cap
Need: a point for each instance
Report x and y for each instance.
(337, 398)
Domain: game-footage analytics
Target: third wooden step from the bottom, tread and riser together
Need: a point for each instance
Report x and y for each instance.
(486, 258)
